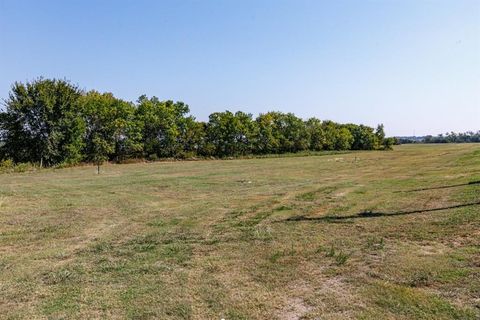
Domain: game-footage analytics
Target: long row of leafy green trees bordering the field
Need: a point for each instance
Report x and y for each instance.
(52, 122)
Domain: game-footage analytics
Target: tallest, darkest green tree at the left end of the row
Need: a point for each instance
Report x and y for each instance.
(42, 123)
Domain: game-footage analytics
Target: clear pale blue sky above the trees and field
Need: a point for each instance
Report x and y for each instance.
(413, 65)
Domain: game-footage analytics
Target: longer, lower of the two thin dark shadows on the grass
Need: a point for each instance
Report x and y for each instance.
(373, 214)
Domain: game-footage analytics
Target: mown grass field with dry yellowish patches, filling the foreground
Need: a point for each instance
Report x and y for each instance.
(362, 235)
